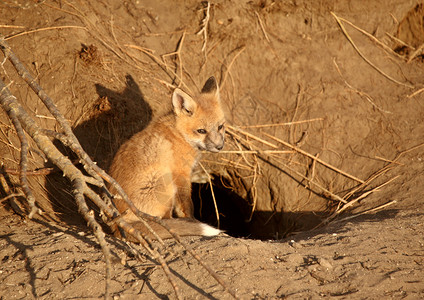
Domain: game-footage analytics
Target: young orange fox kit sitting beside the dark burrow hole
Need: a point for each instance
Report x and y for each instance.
(154, 167)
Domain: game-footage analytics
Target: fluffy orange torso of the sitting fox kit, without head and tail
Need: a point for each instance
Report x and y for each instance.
(159, 162)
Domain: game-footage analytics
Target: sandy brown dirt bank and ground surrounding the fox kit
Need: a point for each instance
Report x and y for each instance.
(110, 66)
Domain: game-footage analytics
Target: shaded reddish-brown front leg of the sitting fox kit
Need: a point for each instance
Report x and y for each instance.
(183, 204)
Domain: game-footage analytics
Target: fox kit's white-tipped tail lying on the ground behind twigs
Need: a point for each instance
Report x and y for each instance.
(182, 226)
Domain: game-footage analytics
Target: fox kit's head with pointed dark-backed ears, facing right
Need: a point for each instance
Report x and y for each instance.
(201, 119)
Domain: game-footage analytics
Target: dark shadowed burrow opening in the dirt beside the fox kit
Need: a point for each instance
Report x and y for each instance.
(237, 219)
